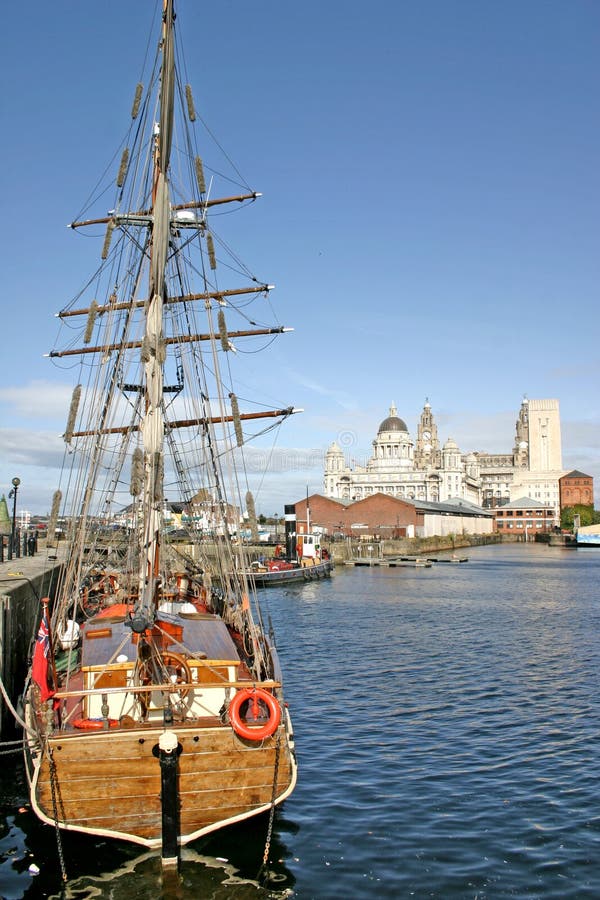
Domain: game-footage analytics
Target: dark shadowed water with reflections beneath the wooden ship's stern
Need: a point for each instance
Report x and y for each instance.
(227, 864)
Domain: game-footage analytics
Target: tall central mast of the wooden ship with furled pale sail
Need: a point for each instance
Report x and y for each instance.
(153, 345)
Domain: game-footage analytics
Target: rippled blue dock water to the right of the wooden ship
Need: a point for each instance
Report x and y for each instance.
(448, 728)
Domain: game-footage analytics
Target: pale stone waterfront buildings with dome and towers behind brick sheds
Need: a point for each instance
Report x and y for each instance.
(425, 470)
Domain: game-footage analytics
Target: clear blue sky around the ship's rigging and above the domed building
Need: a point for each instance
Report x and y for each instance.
(430, 212)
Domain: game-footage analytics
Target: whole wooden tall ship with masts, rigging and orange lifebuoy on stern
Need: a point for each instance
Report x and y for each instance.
(154, 705)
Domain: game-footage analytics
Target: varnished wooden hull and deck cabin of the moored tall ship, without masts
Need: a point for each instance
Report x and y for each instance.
(100, 771)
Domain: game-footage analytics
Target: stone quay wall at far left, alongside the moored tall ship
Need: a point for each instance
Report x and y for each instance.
(23, 582)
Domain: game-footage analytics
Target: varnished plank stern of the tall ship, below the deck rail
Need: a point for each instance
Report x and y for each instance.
(109, 784)
